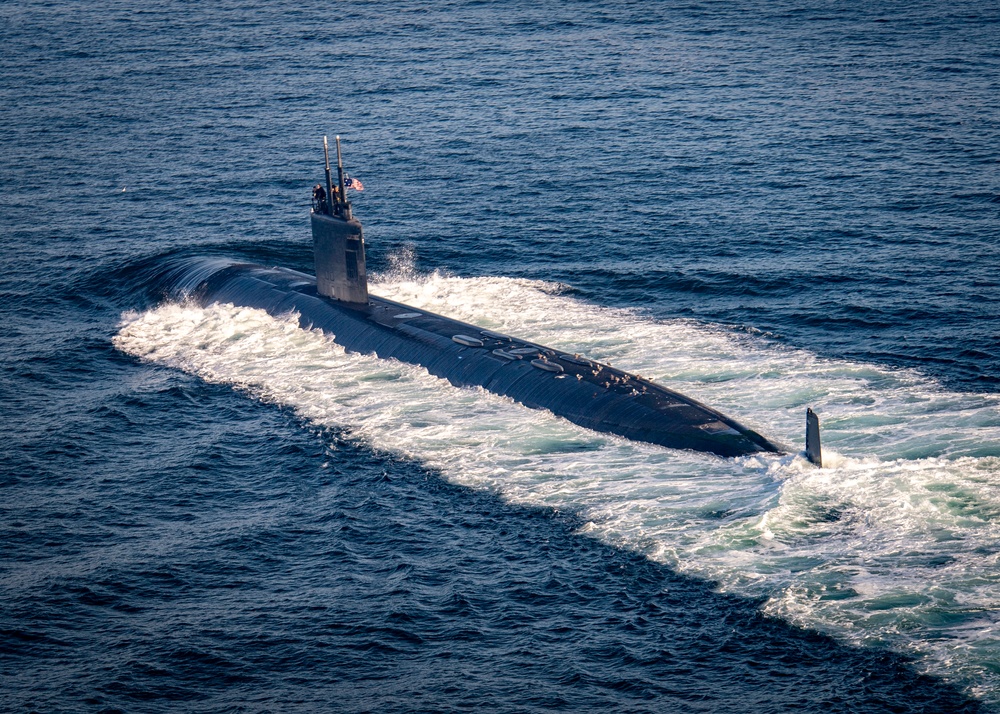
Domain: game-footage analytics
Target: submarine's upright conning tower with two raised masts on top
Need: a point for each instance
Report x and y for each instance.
(338, 243)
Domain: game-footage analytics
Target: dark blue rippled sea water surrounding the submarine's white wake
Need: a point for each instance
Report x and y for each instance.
(822, 177)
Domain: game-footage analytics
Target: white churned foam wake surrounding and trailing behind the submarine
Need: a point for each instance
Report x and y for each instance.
(895, 544)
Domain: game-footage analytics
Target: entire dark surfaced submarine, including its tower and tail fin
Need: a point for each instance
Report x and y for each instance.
(587, 392)
